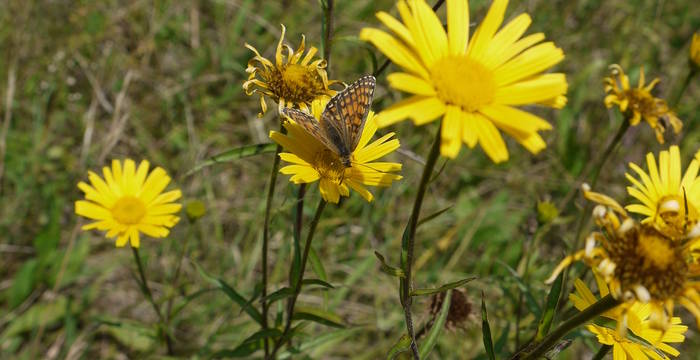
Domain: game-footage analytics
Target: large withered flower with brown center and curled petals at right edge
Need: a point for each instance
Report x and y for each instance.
(639, 262)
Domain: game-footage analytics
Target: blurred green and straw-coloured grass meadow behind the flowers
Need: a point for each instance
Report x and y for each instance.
(83, 82)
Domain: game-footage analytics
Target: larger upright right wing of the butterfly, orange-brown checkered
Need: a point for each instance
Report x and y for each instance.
(344, 117)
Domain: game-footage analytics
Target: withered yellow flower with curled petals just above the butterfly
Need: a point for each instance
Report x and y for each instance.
(291, 81)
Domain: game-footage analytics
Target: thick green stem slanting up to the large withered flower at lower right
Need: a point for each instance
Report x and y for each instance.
(606, 303)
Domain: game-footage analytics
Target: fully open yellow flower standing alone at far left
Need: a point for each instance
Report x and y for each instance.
(129, 201)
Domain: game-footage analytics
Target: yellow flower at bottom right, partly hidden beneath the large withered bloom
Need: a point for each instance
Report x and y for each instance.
(647, 341)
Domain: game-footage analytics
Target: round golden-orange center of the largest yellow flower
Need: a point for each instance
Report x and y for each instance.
(461, 81)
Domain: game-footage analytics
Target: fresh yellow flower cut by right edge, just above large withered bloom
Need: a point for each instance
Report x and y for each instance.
(667, 199)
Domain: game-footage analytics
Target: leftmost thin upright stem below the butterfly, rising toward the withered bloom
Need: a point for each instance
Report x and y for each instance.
(266, 235)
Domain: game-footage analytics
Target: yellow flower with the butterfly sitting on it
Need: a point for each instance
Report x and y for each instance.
(312, 161)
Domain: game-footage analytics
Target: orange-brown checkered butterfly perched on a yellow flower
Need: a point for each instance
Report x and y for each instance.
(343, 119)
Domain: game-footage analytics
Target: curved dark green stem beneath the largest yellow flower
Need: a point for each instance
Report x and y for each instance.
(408, 244)
